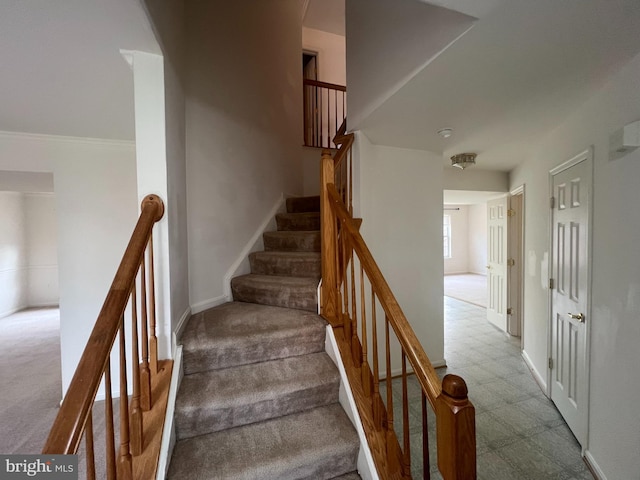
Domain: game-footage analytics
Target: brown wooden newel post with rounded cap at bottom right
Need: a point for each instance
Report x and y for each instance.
(456, 431)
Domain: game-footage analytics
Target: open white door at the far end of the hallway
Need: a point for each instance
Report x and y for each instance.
(497, 262)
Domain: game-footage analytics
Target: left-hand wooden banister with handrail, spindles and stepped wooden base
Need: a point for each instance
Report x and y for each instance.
(136, 455)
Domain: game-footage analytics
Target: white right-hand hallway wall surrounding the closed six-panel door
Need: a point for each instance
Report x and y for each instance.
(614, 422)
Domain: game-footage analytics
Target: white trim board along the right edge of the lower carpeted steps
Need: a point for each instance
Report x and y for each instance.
(366, 467)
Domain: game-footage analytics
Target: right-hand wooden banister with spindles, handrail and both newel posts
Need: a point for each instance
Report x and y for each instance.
(352, 312)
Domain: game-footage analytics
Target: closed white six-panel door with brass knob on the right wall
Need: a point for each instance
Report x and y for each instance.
(569, 296)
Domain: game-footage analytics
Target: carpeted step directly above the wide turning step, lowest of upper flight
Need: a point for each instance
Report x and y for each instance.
(291, 292)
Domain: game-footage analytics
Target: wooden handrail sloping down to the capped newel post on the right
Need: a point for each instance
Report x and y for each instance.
(416, 355)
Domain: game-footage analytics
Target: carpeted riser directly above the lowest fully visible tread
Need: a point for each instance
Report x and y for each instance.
(212, 420)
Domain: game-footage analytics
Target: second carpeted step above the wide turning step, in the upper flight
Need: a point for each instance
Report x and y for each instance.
(295, 264)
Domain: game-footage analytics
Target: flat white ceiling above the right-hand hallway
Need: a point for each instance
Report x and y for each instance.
(522, 69)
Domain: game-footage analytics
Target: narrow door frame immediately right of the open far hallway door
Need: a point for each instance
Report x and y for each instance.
(516, 251)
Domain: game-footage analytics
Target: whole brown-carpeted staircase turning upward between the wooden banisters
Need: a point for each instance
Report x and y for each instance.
(259, 397)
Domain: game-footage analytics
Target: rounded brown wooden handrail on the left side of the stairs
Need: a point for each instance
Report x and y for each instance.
(68, 427)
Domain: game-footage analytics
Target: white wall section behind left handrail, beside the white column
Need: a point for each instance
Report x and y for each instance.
(97, 210)
